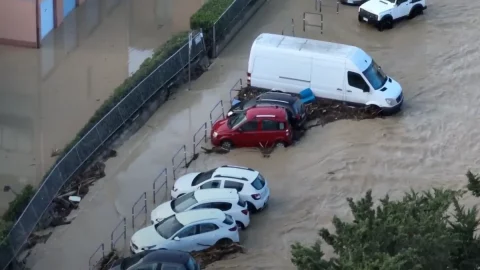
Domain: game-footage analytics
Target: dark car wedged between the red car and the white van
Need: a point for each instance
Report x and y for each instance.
(292, 104)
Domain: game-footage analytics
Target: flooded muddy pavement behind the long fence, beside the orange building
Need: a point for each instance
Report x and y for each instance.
(46, 95)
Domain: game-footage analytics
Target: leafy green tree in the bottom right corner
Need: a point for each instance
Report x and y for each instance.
(429, 230)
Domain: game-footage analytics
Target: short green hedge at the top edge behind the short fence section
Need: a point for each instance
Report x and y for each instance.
(207, 15)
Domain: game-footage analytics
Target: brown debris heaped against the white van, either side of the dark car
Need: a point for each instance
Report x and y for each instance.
(322, 110)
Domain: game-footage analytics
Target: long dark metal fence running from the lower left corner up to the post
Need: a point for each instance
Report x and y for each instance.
(91, 142)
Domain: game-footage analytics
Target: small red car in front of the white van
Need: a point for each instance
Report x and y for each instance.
(257, 126)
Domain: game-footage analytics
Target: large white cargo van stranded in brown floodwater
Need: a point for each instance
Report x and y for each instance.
(333, 71)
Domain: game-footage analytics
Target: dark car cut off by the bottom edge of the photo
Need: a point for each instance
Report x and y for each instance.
(157, 260)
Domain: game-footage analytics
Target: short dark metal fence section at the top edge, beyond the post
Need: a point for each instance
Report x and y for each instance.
(227, 21)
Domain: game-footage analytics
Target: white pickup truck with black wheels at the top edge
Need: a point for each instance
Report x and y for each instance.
(383, 13)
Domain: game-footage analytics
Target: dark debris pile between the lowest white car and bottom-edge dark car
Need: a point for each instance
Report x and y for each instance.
(216, 253)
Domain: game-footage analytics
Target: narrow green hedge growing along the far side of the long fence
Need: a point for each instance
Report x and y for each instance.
(17, 206)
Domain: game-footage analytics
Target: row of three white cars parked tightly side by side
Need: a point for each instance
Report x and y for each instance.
(207, 208)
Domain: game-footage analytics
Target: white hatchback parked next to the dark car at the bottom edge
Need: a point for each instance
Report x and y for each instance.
(187, 231)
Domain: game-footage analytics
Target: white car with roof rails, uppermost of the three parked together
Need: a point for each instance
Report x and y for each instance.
(250, 184)
